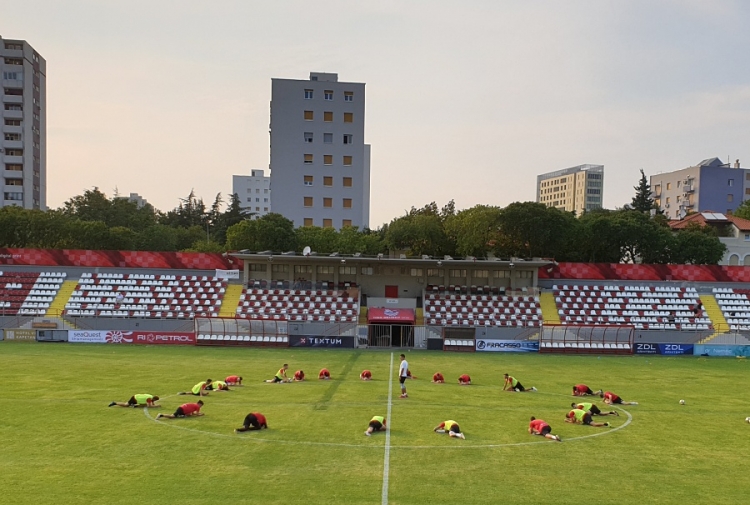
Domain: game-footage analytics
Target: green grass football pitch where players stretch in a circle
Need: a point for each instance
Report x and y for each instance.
(61, 444)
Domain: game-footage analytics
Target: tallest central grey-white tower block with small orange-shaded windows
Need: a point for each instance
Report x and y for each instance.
(320, 164)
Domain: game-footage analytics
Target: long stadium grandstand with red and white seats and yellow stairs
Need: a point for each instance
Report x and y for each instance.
(435, 303)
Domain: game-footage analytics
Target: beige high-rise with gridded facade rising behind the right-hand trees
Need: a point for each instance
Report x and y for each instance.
(575, 189)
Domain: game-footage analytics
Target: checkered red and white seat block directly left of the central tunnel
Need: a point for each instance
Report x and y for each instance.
(298, 305)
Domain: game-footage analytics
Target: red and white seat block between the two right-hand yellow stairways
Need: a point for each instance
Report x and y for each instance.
(645, 307)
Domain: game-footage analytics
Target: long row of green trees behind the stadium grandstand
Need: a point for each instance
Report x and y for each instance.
(635, 233)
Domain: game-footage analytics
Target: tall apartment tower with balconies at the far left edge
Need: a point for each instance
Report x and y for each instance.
(23, 147)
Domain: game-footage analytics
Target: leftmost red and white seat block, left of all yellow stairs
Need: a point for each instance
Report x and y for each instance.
(28, 293)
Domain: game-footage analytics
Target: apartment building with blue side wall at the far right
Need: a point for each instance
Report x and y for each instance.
(711, 185)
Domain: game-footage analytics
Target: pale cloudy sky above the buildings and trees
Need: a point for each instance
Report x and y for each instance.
(466, 100)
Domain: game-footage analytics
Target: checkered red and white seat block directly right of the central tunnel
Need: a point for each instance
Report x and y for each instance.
(481, 310)
